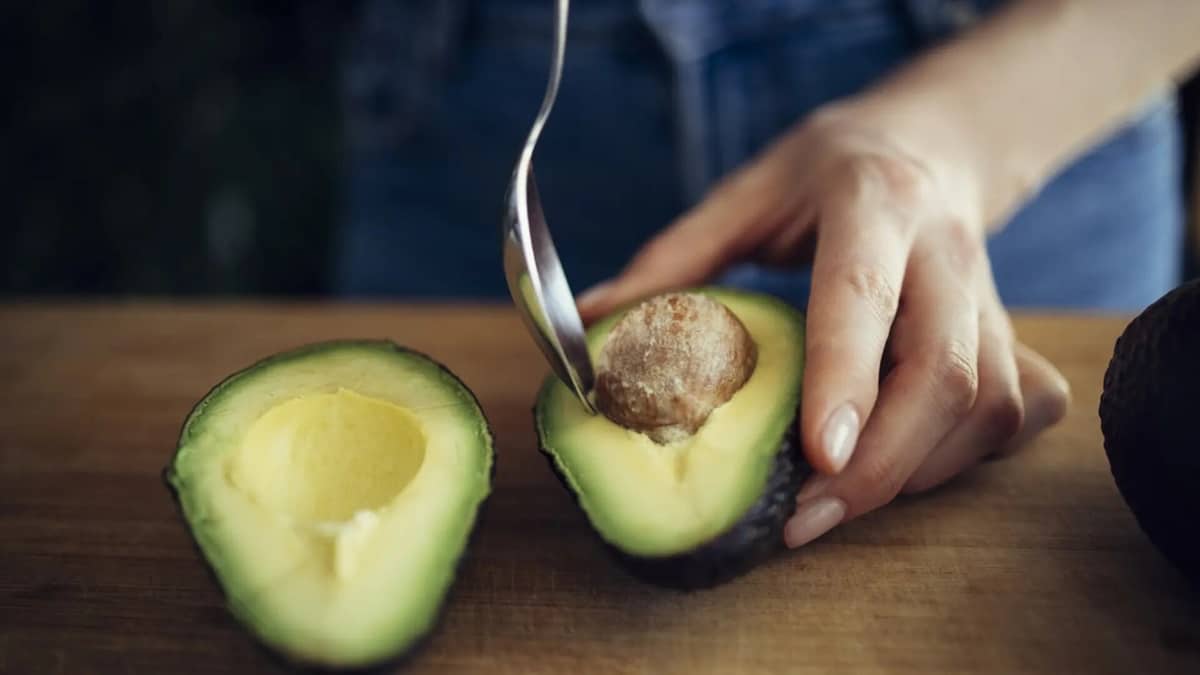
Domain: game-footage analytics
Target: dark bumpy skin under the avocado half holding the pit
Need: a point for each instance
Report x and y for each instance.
(755, 537)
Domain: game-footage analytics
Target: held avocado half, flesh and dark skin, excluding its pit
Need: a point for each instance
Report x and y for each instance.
(704, 511)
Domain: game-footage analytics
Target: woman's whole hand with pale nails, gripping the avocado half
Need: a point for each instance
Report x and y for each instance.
(913, 372)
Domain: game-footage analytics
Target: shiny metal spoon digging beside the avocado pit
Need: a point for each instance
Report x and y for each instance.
(532, 268)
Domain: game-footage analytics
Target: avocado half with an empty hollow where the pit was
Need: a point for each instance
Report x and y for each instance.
(333, 492)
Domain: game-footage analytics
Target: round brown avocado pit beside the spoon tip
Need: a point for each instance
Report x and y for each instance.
(670, 362)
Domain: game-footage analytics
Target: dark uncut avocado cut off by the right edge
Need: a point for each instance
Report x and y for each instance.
(1149, 416)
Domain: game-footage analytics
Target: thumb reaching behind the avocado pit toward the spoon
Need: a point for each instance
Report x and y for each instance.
(735, 220)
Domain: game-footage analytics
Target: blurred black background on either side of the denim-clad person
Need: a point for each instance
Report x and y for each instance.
(182, 147)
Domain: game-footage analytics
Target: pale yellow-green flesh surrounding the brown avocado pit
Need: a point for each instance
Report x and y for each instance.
(658, 500)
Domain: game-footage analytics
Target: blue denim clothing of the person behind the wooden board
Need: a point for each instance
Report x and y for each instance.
(659, 100)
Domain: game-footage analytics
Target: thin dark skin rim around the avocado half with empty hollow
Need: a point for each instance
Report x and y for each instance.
(403, 658)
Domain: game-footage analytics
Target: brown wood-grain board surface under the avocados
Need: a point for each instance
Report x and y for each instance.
(1029, 565)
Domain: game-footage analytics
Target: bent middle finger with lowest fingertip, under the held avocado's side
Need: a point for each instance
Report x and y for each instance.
(932, 389)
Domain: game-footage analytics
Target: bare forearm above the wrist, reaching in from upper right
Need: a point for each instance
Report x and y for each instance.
(1015, 100)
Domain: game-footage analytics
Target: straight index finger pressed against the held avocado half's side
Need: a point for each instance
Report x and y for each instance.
(857, 276)
